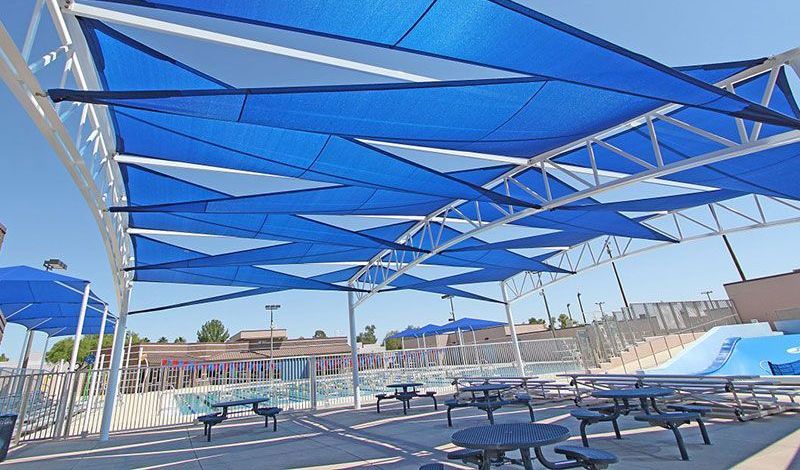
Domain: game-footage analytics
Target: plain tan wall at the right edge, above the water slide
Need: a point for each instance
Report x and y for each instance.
(768, 298)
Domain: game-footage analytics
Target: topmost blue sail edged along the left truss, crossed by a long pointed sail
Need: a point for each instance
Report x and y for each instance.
(285, 152)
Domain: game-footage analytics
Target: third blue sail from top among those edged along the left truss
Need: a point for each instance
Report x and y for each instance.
(148, 249)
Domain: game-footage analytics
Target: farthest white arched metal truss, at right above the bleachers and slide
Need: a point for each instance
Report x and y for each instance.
(703, 221)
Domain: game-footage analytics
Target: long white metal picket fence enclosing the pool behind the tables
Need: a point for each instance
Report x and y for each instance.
(63, 404)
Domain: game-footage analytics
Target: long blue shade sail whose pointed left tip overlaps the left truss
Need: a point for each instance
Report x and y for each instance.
(510, 116)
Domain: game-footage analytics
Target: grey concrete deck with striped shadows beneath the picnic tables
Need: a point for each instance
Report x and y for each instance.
(343, 438)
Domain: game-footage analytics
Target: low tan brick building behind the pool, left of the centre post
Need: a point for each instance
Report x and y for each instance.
(242, 346)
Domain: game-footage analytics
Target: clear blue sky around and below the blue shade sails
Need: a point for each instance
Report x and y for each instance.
(46, 216)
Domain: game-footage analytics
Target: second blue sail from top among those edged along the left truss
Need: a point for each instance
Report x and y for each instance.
(140, 183)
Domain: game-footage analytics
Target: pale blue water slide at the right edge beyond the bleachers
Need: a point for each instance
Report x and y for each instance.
(733, 350)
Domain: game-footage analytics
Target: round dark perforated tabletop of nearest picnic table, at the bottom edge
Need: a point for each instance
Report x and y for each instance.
(495, 440)
